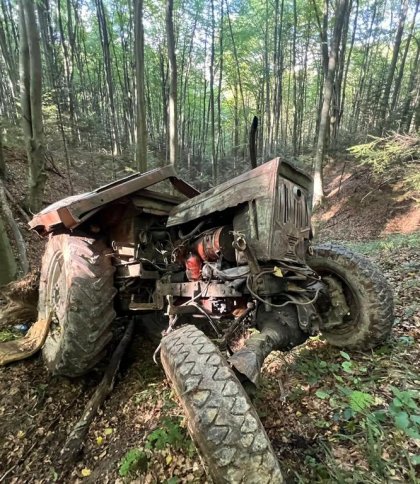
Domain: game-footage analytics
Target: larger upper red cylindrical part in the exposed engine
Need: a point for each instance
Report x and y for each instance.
(214, 243)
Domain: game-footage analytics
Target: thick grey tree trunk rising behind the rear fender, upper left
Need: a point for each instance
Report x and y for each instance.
(31, 90)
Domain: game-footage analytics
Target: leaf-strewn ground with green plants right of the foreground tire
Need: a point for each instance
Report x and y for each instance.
(353, 416)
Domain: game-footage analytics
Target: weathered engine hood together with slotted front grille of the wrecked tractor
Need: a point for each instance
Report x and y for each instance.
(272, 214)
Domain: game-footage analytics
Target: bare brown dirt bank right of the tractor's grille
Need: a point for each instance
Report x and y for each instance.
(360, 207)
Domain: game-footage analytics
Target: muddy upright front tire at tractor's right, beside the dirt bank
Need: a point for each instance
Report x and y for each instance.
(358, 285)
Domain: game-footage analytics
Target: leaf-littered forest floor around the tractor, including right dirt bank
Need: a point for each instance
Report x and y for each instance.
(332, 416)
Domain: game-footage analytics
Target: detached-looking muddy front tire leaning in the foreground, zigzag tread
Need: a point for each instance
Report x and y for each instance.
(221, 419)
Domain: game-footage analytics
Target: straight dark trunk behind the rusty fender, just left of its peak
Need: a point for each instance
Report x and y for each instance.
(141, 148)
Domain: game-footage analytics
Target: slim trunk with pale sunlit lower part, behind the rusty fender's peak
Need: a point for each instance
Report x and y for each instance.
(172, 111)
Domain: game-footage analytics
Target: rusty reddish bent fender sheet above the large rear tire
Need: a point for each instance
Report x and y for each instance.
(72, 211)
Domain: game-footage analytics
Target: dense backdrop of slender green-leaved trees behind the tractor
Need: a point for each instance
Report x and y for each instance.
(233, 60)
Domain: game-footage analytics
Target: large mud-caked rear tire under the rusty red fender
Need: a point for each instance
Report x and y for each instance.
(77, 292)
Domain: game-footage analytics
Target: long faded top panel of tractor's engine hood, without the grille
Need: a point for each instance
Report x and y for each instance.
(254, 184)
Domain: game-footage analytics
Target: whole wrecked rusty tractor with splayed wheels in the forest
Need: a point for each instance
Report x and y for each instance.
(214, 265)
